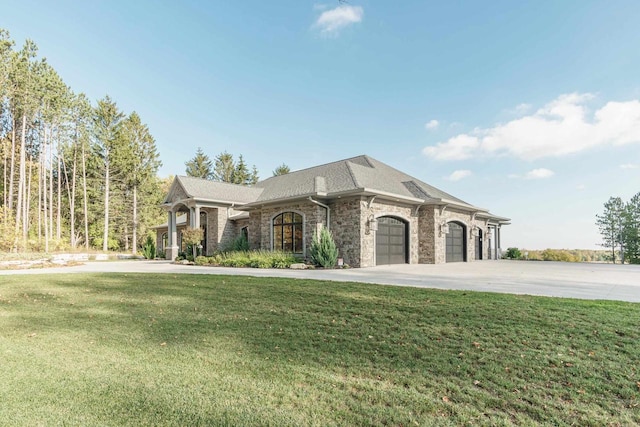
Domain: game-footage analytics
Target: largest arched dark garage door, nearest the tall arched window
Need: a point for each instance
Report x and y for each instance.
(391, 241)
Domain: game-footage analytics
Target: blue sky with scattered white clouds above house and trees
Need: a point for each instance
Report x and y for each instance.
(528, 108)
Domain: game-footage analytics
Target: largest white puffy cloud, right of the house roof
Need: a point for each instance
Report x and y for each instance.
(561, 127)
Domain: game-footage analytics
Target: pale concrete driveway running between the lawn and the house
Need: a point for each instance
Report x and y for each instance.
(567, 280)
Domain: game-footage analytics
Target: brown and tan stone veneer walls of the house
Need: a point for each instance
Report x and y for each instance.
(350, 228)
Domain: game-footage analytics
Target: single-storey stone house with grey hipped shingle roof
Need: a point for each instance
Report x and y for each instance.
(377, 215)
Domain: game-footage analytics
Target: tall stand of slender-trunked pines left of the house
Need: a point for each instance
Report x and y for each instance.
(73, 173)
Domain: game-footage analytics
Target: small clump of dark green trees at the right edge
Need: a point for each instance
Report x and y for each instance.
(619, 225)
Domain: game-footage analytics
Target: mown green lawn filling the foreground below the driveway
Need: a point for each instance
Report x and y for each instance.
(133, 349)
